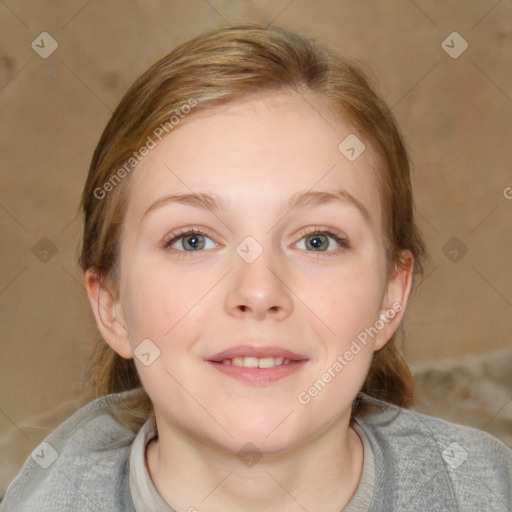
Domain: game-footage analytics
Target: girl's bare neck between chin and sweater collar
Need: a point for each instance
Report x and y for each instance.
(322, 472)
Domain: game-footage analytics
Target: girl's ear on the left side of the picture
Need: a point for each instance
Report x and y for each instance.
(108, 313)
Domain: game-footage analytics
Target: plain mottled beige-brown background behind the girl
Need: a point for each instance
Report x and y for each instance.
(456, 115)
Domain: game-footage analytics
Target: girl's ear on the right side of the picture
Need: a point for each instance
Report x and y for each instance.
(395, 299)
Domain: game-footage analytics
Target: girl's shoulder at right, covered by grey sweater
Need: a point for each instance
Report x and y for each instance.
(463, 465)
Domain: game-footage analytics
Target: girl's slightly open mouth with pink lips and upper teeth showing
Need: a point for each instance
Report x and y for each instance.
(258, 365)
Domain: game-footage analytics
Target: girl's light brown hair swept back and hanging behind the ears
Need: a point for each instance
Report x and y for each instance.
(221, 67)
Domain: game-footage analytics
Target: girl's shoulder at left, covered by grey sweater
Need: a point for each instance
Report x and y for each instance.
(84, 460)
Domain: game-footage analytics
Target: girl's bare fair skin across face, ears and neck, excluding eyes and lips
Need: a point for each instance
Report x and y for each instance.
(255, 154)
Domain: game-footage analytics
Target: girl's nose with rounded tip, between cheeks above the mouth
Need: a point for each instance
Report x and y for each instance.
(259, 289)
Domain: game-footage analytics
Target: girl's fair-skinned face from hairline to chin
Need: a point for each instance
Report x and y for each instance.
(252, 257)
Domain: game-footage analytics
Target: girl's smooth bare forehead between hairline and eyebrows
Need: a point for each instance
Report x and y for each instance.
(257, 152)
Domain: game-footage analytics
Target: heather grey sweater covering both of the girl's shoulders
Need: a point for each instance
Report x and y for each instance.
(420, 463)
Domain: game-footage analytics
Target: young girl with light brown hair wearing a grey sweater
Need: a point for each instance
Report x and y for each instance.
(249, 250)
